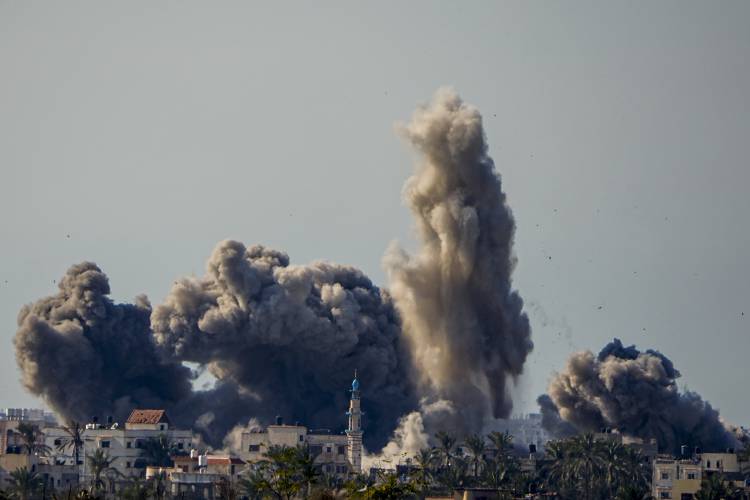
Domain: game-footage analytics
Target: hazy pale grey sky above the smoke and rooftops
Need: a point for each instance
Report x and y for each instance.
(137, 135)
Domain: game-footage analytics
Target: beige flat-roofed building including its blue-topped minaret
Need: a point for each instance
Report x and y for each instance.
(335, 454)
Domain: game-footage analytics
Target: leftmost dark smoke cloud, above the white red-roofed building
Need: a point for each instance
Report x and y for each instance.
(87, 356)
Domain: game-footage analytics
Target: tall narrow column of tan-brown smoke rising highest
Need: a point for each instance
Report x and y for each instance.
(463, 322)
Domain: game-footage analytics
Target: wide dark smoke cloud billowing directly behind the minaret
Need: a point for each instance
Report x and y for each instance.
(290, 336)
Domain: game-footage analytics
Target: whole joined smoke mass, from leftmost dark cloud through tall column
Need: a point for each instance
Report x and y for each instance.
(438, 351)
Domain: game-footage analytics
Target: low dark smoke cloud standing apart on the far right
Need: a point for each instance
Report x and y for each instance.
(634, 392)
